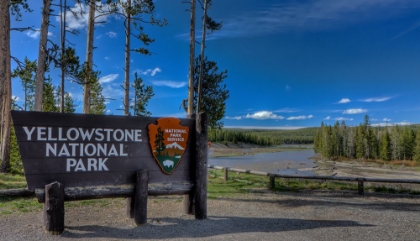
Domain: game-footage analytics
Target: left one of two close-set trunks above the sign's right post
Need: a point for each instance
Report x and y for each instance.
(192, 57)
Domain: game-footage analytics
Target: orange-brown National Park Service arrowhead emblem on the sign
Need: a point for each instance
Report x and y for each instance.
(168, 141)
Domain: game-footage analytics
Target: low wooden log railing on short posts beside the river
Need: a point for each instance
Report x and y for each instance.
(360, 180)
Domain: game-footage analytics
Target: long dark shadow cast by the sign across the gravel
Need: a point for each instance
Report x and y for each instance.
(183, 228)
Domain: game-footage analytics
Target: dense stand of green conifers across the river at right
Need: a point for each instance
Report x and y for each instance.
(367, 142)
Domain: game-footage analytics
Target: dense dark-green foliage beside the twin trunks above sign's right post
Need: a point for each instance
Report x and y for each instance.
(213, 92)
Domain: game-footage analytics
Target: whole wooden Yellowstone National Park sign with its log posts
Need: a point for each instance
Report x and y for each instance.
(78, 156)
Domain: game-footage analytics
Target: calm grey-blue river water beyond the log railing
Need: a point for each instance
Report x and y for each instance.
(285, 162)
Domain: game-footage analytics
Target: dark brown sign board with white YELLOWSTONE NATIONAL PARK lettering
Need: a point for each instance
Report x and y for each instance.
(90, 150)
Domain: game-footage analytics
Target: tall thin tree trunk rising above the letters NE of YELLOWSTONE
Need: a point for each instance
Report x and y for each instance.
(127, 61)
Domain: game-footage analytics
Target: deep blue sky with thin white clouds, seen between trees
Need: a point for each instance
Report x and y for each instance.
(290, 63)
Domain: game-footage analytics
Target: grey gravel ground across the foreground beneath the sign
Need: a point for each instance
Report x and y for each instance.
(257, 216)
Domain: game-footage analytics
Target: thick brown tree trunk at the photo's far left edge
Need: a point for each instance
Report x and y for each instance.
(5, 86)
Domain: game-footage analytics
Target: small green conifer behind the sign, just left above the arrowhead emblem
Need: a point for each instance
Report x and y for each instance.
(142, 95)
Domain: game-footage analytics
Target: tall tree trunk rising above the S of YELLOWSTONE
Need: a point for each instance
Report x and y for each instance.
(89, 57)
